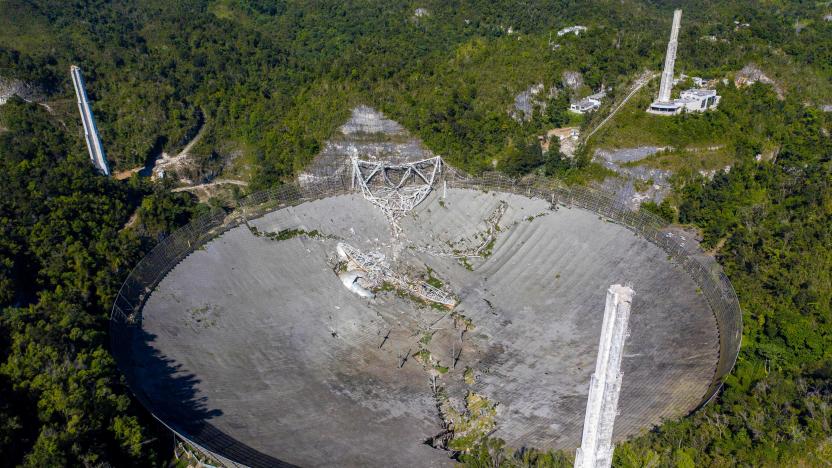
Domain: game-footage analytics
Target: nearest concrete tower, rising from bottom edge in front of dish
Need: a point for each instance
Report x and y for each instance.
(605, 385)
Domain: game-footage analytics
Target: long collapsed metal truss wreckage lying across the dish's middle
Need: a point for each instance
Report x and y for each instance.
(376, 269)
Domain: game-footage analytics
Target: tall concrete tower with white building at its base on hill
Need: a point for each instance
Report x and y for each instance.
(691, 100)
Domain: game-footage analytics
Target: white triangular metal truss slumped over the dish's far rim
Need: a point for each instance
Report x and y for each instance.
(395, 188)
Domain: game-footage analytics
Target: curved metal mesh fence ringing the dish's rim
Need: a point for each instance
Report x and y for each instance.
(127, 309)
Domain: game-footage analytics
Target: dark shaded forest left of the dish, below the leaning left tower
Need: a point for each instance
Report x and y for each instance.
(64, 253)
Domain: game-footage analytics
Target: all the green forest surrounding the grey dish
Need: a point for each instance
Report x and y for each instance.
(268, 82)
